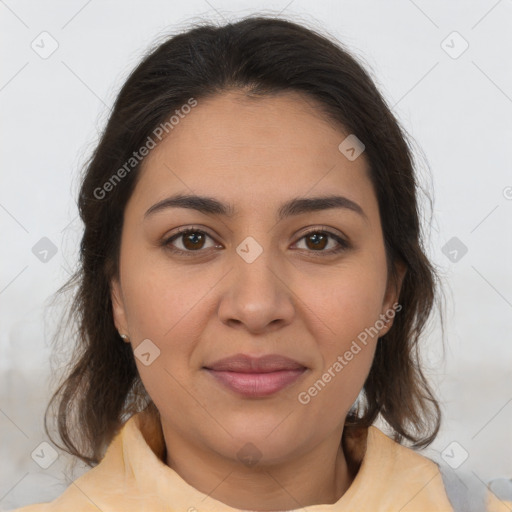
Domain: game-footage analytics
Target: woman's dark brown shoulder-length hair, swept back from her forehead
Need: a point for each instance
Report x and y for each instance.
(259, 56)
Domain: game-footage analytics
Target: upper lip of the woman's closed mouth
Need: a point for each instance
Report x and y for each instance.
(243, 363)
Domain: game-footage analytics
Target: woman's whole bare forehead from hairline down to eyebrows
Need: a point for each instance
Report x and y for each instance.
(253, 152)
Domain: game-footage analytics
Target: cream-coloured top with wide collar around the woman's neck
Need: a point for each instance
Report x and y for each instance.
(132, 476)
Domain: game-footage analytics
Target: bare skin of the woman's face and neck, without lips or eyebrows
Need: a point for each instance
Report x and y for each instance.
(293, 300)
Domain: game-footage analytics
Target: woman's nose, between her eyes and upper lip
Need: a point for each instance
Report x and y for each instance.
(258, 296)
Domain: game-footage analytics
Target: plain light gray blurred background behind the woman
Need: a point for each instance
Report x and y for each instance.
(459, 111)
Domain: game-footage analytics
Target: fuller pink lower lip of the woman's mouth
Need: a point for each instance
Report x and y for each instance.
(257, 384)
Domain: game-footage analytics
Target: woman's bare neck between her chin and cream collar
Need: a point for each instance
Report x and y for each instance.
(319, 476)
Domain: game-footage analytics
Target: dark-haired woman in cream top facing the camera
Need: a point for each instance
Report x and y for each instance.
(252, 288)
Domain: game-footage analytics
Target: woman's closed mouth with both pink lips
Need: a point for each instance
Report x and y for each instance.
(256, 377)
